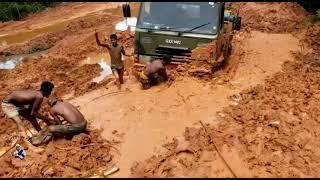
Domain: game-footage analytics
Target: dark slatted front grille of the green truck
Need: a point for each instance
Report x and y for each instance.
(179, 54)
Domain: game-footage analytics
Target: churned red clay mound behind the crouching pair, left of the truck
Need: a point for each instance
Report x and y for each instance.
(62, 63)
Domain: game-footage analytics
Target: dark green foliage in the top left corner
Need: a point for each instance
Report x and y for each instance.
(18, 10)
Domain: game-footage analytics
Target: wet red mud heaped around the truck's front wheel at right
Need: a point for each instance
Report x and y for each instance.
(207, 70)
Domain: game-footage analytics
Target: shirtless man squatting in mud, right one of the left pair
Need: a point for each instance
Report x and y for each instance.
(75, 122)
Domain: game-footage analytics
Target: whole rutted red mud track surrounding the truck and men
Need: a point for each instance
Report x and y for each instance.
(271, 123)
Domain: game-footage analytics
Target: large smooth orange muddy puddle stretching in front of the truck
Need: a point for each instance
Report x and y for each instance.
(144, 120)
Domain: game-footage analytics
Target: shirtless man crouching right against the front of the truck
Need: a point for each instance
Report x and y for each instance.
(147, 76)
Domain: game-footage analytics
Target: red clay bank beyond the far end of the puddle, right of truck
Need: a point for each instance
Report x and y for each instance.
(268, 17)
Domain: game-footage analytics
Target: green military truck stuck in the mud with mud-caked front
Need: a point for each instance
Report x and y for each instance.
(176, 28)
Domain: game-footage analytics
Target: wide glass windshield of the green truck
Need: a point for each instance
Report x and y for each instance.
(180, 16)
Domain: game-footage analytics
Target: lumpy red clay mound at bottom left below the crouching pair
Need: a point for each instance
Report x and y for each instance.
(83, 156)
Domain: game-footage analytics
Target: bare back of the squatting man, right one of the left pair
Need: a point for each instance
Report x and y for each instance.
(68, 112)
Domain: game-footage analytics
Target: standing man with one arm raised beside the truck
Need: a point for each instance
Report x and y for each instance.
(115, 50)
